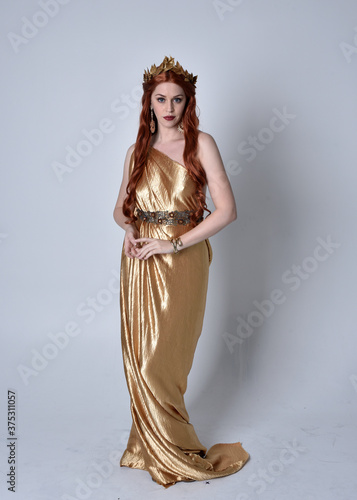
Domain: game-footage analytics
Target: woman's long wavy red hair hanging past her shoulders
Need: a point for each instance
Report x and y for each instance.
(190, 129)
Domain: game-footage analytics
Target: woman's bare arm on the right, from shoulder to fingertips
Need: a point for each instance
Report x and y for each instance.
(222, 196)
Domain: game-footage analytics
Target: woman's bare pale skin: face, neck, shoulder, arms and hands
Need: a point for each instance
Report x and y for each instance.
(169, 99)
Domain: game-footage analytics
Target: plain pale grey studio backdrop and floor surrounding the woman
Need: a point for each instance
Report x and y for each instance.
(275, 366)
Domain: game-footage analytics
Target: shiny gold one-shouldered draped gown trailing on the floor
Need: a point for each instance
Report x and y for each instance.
(162, 303)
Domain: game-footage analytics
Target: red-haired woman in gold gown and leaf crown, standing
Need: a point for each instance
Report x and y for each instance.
(164, 275)
